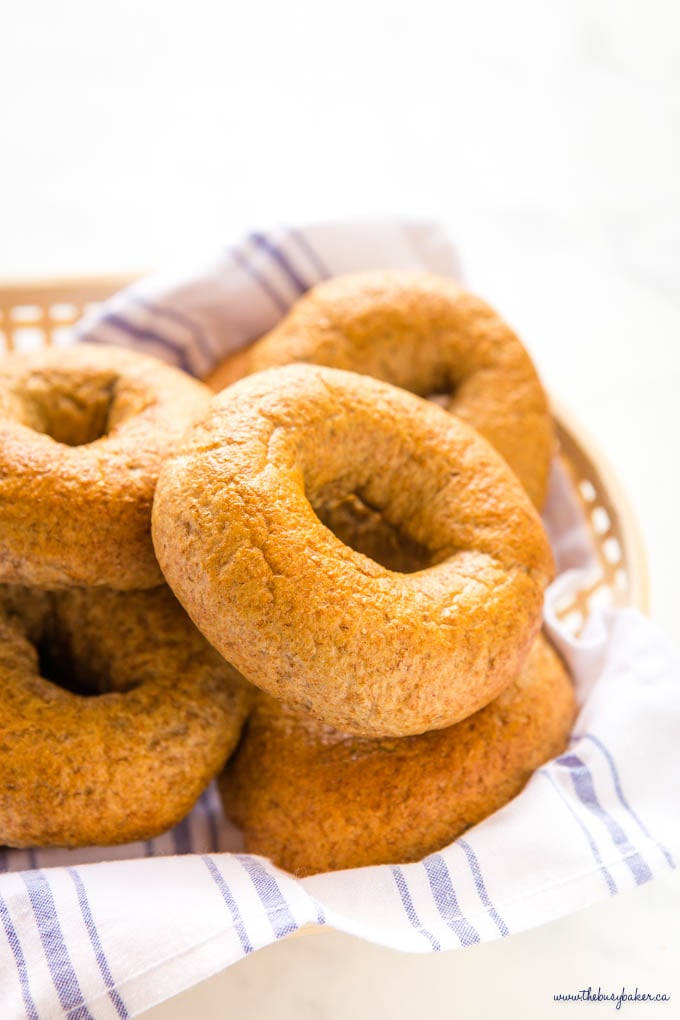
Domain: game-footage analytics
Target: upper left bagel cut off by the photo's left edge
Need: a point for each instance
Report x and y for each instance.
(83, 434)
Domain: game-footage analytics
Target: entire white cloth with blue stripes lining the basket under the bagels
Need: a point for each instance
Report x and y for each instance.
(89, 940)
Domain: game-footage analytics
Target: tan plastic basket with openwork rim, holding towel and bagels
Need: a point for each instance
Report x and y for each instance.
(37, 313)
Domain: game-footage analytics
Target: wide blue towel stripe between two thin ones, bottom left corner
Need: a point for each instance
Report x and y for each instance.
(59, 960)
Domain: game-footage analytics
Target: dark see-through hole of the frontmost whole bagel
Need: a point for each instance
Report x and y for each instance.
(364, 529)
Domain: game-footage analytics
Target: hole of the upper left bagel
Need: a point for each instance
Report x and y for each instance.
(74, 414)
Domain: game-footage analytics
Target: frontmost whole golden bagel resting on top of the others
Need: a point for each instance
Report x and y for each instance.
(237, 527)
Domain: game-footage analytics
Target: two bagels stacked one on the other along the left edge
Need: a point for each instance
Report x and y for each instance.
(116, 712)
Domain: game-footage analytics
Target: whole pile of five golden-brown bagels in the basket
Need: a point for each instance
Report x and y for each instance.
(352, 526)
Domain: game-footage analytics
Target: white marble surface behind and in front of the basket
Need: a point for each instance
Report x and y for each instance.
(547, 137)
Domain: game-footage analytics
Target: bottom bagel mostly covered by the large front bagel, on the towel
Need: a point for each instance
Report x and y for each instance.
(313, 799)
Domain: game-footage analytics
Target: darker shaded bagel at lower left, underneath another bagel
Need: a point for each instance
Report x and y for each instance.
(115, 716)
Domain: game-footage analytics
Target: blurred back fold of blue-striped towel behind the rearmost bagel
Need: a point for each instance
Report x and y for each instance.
(194, 317)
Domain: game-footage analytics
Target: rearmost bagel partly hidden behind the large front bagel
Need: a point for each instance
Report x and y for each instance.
(428, 335)
